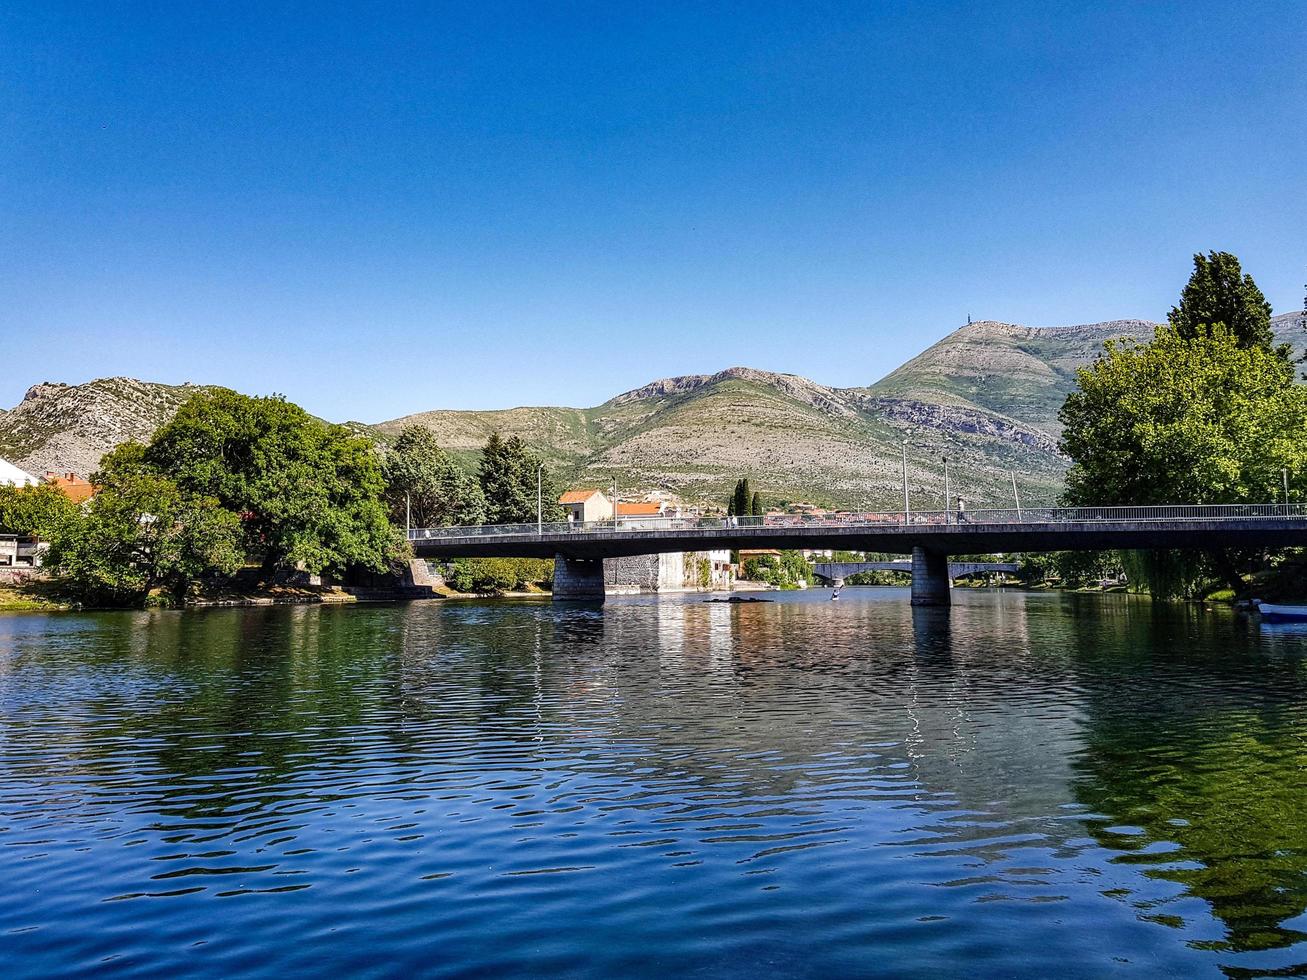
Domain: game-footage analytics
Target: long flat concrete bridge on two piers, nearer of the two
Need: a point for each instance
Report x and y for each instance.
(580, 548)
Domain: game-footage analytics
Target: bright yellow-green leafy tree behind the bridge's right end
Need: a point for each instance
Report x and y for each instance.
(1183, 420)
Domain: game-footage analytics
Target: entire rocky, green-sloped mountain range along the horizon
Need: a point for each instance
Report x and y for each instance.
(986, 398)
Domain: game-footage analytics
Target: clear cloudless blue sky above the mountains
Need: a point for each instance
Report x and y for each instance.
(384, 208)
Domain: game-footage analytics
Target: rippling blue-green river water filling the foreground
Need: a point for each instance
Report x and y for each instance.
(1025, 785)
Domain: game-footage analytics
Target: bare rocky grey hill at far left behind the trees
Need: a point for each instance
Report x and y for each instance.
(70, 427)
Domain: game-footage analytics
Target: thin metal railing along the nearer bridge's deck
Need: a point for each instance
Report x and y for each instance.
(872, 519)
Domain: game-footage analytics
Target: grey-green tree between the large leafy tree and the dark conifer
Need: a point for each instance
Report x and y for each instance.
(424, 485)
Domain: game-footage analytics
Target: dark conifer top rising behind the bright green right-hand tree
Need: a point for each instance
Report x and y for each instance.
(1221, 293)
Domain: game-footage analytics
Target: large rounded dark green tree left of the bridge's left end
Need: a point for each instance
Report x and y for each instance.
(309, 495)
